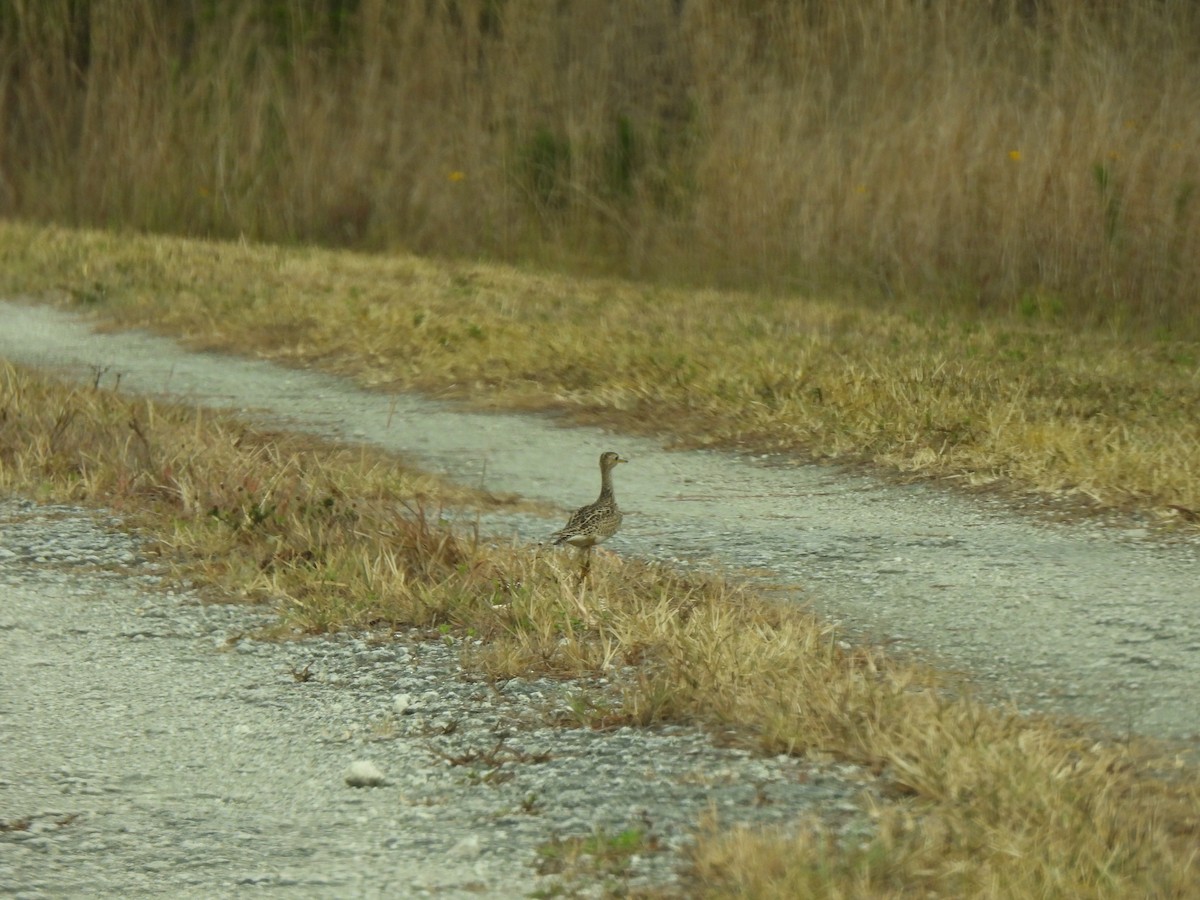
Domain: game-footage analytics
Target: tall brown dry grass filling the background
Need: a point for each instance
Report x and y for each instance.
(1006, 153)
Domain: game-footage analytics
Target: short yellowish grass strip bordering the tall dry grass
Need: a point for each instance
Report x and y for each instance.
(1028, 405)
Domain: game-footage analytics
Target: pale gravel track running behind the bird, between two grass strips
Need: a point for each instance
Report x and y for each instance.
(1084, 619)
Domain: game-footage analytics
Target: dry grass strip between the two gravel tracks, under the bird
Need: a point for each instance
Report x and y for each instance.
(982, 803)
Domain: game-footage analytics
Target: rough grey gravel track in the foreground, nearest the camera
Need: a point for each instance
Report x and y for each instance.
(151, 748)
